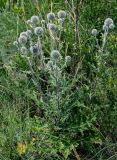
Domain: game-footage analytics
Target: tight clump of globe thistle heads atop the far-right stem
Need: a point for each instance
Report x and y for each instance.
(108, 24)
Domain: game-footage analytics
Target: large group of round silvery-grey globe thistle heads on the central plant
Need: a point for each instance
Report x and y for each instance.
(28, 42)
